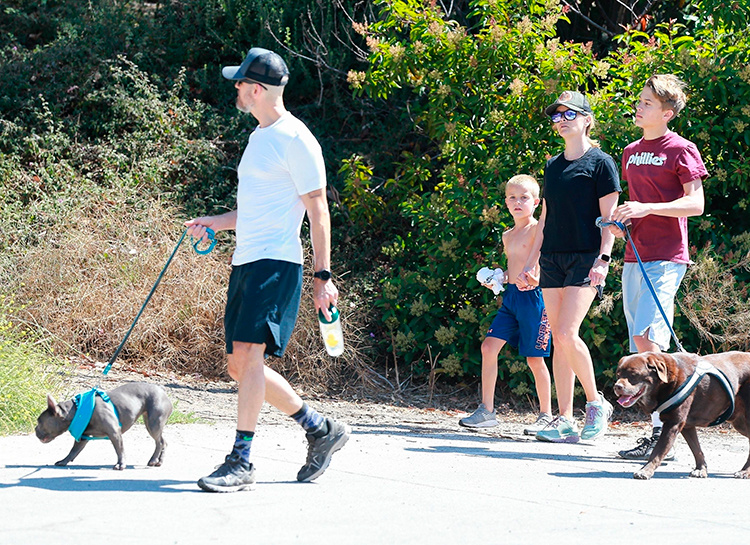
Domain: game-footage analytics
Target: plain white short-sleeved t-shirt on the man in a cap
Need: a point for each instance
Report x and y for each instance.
(280, 163)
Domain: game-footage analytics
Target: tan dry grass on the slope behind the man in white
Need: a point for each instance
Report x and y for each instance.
(85, 283)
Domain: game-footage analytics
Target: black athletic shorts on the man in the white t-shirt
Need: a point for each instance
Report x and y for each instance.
(262, 304)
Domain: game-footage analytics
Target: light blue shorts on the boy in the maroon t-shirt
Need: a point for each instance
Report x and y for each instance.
(641, 311)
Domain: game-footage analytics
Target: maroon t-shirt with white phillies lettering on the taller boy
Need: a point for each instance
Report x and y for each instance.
(656, 171)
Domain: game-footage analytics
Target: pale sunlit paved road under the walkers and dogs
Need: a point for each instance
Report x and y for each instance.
(399, 484)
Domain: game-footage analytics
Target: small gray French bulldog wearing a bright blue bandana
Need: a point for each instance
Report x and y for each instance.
(131, 401)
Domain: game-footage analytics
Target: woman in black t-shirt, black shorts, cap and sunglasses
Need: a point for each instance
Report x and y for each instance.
(580, 184)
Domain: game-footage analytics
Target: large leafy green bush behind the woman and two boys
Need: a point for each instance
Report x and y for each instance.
(476, 93)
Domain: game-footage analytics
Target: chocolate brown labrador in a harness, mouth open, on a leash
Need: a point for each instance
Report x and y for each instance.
(650, 378)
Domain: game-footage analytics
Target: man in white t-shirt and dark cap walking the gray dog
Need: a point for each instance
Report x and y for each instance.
(281, 177)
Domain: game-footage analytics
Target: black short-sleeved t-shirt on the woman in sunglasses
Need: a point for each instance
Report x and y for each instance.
(572, 190)
